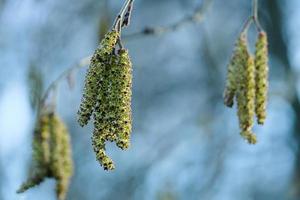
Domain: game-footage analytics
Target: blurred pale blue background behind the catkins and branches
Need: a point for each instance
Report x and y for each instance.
(185, 142)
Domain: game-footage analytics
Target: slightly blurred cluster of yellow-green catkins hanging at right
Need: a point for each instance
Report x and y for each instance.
(247, 82)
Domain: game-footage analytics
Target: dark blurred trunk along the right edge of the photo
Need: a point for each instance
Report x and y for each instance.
(280, 49)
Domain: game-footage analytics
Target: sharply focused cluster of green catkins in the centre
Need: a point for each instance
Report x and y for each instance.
(107, 97)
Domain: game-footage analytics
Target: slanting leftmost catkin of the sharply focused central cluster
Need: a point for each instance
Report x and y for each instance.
(93, 76)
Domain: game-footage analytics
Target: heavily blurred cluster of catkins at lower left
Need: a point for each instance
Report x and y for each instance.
(51, 154)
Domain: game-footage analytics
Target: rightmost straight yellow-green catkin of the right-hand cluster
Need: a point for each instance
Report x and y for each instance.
(261, 65)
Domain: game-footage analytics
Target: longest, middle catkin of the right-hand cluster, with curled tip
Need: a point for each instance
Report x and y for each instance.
(245, 90)
